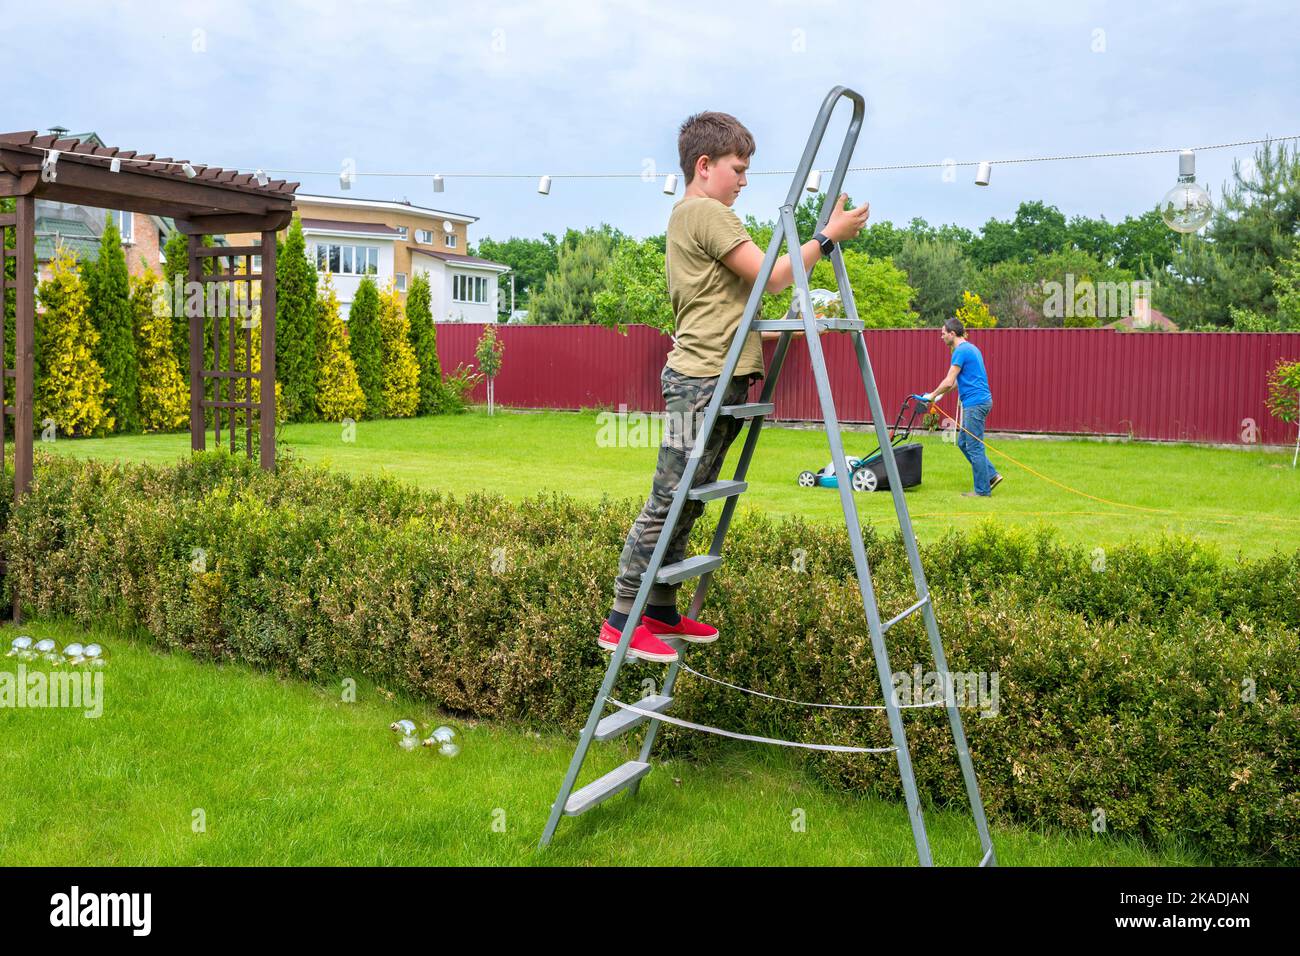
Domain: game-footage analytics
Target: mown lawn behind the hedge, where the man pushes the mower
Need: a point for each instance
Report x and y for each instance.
(1237, 500)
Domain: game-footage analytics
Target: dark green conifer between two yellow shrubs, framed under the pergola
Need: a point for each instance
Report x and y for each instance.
(109, 295)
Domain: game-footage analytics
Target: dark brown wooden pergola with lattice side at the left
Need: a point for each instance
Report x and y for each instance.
(209, 202)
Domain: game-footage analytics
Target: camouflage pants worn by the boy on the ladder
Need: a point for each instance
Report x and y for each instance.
(686, 400)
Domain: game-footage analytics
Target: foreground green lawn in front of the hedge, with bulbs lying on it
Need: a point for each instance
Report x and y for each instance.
(285, 773)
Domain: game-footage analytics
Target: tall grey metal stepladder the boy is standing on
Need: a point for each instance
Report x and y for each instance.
(629, 777)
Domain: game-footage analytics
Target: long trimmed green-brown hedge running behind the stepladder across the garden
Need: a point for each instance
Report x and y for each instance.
(1120, 690)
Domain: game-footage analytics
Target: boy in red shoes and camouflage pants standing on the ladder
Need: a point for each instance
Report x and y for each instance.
(712, 265)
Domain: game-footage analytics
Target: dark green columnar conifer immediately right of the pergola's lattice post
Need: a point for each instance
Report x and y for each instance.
(296, 325)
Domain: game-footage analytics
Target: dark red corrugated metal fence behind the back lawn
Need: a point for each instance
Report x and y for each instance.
(1178, 387)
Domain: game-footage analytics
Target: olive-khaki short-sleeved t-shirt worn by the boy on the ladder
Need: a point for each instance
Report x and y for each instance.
(708, 299)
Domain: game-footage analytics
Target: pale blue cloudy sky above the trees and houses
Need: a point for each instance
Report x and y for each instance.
(591, 88)
